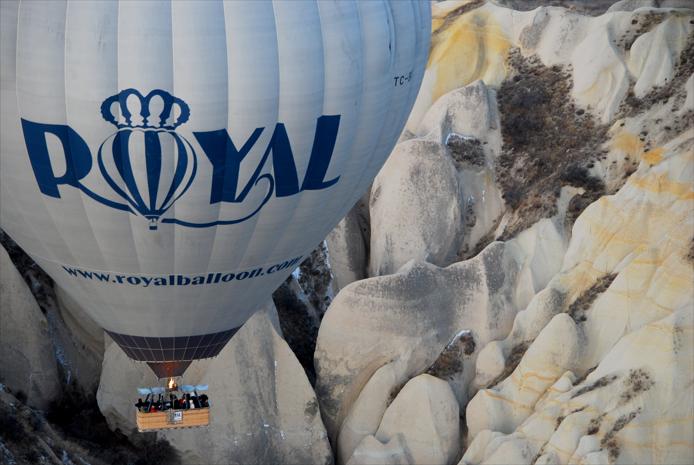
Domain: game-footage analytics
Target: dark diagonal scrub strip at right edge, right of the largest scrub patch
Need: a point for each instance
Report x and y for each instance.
(673, 89)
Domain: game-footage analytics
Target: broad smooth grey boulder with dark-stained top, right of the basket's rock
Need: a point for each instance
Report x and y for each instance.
(382, 331)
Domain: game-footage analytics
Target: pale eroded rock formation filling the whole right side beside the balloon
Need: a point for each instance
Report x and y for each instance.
(568, 140)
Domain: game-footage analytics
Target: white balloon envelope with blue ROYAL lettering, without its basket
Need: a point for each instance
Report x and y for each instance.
(169, 163)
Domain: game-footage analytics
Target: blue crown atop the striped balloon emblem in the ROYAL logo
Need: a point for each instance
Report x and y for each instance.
(142, 117)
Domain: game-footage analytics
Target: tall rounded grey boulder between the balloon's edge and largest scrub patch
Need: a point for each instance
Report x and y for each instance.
(436, 196)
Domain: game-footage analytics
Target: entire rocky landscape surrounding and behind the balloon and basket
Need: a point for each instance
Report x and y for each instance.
(516, 287)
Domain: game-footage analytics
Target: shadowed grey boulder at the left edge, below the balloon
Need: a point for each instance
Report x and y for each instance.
(27, 357)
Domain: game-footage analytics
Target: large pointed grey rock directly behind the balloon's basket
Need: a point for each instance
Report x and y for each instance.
(263, 407)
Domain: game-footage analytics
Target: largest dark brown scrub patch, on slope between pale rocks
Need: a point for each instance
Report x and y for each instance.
(547, 143)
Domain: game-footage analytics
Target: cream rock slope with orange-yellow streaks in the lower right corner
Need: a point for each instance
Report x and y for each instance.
(636, 333)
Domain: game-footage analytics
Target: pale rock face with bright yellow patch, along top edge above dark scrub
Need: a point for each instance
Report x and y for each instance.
(611, 55)
